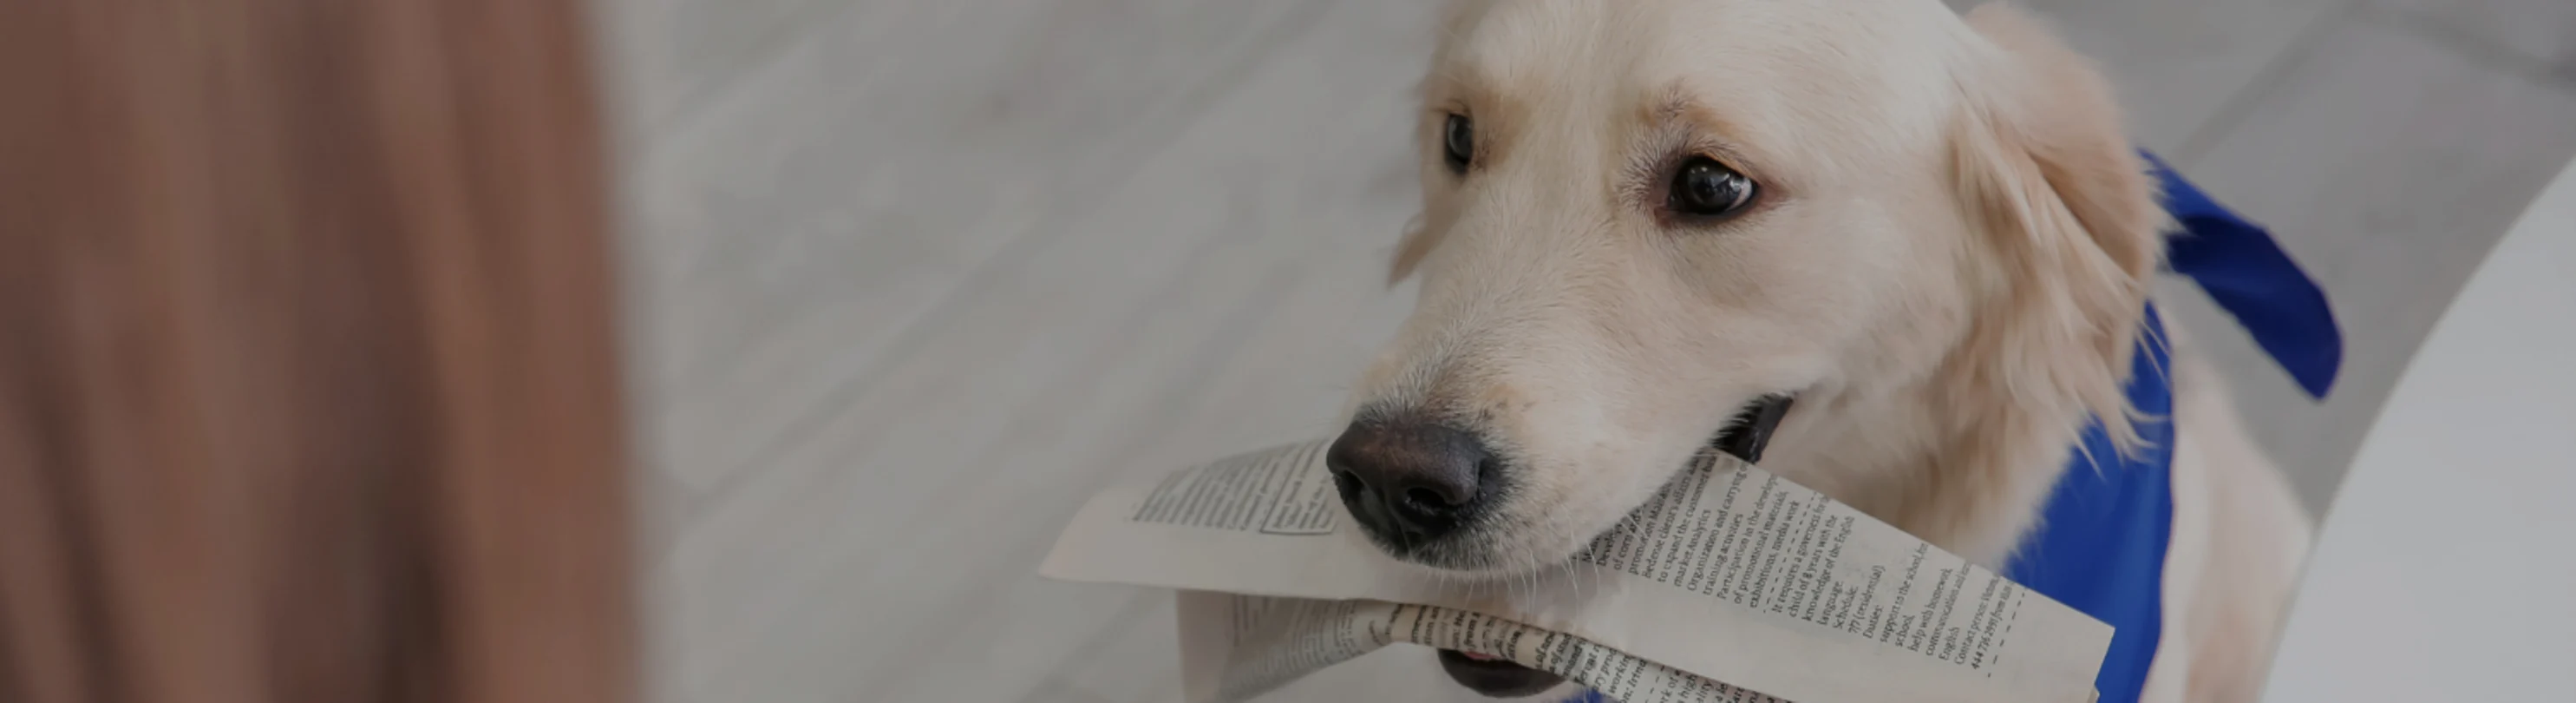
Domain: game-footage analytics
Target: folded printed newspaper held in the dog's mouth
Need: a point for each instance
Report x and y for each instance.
(1727, 586)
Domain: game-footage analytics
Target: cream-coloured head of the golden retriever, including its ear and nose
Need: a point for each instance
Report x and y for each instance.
(1640, 218)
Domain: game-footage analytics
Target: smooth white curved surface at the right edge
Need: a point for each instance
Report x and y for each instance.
(2448, 563)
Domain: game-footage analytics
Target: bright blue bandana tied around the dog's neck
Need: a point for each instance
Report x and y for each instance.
(2103, 532)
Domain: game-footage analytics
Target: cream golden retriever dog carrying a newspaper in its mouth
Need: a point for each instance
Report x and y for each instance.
(1931, 230)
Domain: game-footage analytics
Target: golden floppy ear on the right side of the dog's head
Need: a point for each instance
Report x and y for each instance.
(2070, 210)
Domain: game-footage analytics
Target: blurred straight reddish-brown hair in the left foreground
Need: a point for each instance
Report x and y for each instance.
(308, 375)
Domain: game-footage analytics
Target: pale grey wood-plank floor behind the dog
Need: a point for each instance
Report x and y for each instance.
(911, 279)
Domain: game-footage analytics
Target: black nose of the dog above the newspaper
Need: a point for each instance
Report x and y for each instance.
(1410, 483)
